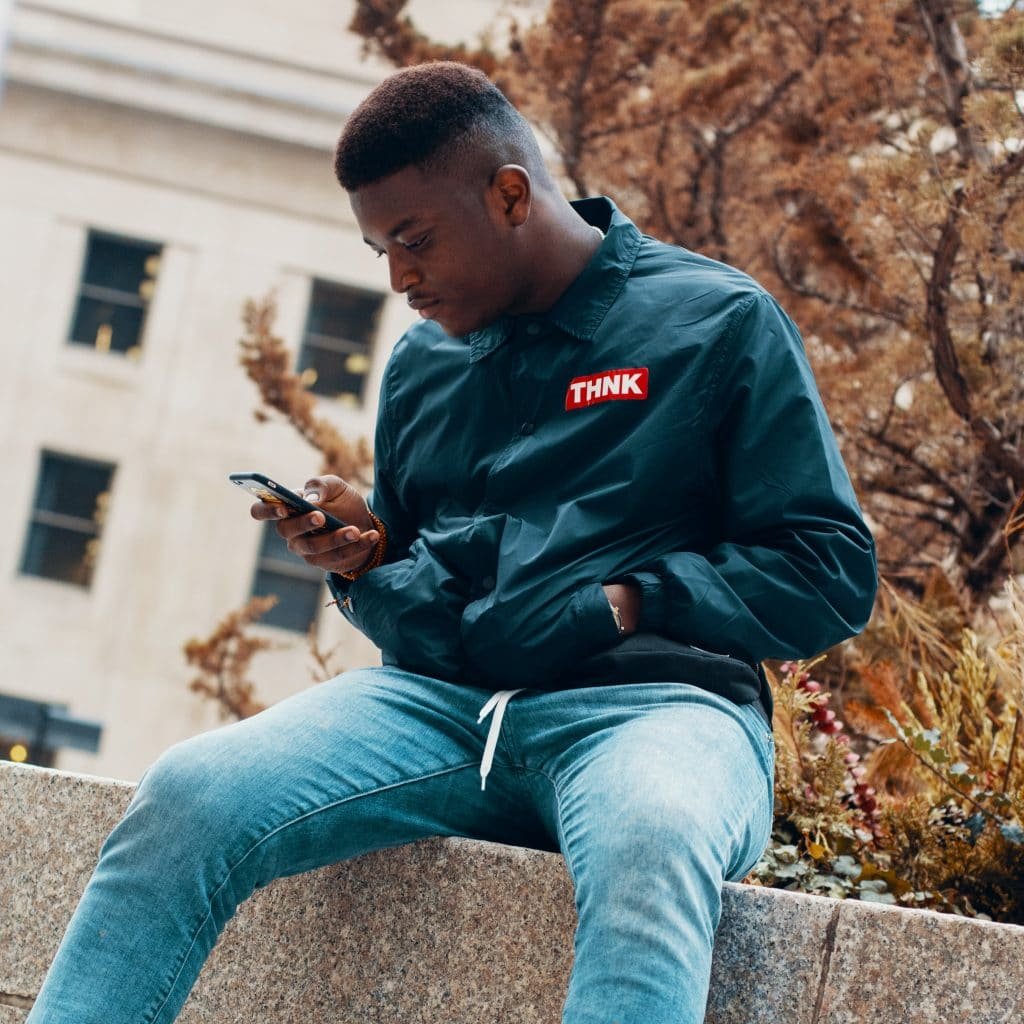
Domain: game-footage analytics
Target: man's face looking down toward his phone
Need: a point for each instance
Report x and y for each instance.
(447, 243)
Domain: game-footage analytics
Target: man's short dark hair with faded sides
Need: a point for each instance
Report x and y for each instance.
(438, 116)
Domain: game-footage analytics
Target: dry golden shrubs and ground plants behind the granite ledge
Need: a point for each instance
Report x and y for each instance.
(930, 812)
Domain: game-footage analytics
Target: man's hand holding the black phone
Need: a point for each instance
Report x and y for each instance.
(340, 551)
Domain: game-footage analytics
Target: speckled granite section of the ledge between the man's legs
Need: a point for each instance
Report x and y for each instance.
(441, 931)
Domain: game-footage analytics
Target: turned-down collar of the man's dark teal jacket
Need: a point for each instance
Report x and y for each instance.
(584, 305)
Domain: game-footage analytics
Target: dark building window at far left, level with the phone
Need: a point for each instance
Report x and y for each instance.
(72, 497)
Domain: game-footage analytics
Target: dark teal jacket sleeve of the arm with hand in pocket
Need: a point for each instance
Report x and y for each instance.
(795, 571)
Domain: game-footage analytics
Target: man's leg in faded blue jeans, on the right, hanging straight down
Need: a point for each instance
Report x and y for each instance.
(661, 793)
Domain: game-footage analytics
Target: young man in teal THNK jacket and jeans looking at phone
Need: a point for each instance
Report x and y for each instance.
(606, 490)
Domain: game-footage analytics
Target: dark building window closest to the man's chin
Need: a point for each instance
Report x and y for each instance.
(335, 357)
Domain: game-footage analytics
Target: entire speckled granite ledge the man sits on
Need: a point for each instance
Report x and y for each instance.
(453, 932)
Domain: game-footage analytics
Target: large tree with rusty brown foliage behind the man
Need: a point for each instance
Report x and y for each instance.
(863, 159)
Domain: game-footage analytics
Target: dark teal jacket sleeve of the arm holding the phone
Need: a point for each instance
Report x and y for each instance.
(411, 606)
